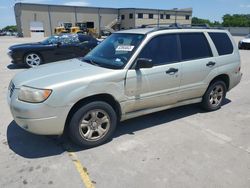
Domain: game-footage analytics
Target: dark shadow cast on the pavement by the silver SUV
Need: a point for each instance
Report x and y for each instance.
(29, 145)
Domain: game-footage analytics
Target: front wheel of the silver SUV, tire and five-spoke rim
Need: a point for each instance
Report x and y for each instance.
(92, 124)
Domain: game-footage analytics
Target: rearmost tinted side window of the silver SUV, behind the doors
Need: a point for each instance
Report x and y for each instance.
(222, 43)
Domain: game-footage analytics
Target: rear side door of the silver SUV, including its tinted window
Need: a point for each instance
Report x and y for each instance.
(197, 63)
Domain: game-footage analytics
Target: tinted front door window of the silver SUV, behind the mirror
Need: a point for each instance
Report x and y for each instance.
(162, 50)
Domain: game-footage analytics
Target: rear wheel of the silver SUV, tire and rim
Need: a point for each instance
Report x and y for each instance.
(214, 96)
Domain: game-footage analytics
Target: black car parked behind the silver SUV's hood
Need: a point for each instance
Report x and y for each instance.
(54, 48)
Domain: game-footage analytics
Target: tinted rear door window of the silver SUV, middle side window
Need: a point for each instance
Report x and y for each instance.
(194, 46)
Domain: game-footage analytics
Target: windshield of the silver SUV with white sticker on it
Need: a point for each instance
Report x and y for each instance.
(115, 51)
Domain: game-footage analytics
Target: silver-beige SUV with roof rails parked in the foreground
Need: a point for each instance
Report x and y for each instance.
(130, 74)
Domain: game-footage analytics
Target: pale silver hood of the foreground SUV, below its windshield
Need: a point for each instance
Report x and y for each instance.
(60, 73)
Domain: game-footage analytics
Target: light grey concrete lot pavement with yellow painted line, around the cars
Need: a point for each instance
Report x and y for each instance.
(181, 147)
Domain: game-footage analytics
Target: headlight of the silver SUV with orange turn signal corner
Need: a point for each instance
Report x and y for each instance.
(33, 95)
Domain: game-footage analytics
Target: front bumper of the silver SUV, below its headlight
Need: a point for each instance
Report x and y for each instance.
(38, 118)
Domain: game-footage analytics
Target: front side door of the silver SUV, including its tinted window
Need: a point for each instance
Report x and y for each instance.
(158, 86)
